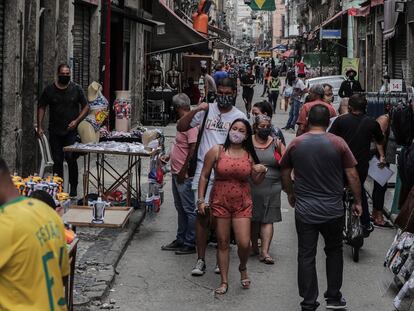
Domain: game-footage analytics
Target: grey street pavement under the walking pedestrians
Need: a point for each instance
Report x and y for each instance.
(151, 279)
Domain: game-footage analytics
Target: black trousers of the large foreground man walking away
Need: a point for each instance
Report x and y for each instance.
(308, 235)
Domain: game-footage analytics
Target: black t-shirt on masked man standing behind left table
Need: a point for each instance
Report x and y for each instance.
(64, 105)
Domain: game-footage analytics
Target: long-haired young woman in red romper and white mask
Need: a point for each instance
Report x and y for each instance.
(234, 163)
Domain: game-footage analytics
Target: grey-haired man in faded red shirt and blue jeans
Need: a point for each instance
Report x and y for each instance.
(180, 155)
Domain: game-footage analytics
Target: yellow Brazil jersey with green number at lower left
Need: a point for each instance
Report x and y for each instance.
(33, 257)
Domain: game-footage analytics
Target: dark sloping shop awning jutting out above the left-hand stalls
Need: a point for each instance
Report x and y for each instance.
(179, 35)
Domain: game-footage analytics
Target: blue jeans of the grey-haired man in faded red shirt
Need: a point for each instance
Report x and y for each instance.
(185, 206)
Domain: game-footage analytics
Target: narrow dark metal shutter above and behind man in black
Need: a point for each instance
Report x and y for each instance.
(81, 45)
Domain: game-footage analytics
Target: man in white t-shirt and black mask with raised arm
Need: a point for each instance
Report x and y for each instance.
(221, 115)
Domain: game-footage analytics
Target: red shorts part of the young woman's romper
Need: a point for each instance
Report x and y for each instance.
(235, 204)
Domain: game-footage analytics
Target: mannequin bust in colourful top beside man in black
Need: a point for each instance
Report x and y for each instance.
(88, 129)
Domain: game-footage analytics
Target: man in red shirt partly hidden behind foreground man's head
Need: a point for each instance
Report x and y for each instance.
(316, 93)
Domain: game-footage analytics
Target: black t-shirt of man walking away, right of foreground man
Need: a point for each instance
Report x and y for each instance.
(358, 131)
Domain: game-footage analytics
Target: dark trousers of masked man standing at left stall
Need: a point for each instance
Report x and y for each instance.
(57, 142)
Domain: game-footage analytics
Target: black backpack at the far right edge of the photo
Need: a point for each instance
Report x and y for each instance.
(403, 125)
